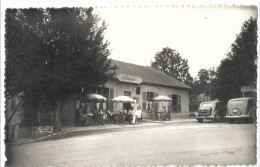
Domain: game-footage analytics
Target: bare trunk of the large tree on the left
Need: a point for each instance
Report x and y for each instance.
(57, 116)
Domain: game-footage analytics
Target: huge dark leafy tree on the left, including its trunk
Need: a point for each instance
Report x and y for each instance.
(54, 53)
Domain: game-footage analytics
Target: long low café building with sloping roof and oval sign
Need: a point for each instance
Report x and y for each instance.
(143, 84)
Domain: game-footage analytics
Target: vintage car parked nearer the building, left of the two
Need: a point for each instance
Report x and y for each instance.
(214, 110)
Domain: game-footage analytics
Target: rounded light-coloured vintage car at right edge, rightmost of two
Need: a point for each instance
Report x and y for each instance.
(241, 109)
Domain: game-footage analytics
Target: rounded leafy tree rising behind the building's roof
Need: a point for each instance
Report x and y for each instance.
(170, 62)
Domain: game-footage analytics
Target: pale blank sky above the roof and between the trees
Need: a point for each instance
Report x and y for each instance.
(203, 35)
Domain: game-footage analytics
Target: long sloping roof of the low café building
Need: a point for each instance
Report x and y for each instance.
(148, 75)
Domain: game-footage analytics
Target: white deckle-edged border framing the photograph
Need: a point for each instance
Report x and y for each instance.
(103, 3)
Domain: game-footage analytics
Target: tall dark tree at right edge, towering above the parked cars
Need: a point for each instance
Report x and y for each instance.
(239, 68)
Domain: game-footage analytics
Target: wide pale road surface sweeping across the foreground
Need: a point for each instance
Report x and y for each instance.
(180, 143)
